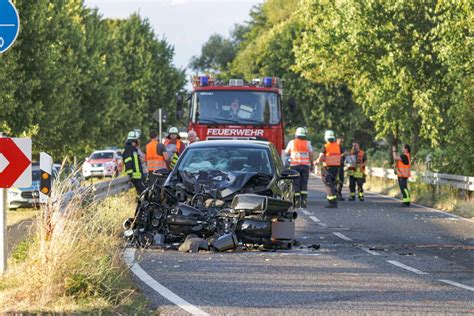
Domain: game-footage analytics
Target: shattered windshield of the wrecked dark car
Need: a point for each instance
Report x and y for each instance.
(226, 159)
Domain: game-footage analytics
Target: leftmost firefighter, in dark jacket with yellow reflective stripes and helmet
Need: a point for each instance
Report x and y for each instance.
(131, 159)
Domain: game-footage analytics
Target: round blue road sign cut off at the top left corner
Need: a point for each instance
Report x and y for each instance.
(9, 24)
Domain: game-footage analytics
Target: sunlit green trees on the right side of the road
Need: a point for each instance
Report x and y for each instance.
(375, 71)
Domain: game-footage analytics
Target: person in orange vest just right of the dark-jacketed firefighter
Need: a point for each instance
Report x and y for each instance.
(156, 156)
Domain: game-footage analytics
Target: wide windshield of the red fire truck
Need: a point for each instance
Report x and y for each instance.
(235, 107)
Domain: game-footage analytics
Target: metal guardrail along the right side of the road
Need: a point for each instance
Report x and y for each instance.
(434, 178)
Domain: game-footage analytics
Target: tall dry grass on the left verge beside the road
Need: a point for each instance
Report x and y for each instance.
(73, 263)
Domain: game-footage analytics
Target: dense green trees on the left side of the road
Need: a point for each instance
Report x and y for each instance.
(76, 82)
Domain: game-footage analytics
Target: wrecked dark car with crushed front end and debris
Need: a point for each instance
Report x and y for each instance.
(230, 193)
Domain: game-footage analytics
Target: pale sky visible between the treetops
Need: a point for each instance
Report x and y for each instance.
(185, 24)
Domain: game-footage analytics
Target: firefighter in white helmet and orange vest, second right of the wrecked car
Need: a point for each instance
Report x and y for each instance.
(330, 156)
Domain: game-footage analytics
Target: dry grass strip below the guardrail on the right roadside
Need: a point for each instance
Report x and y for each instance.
(442, 197)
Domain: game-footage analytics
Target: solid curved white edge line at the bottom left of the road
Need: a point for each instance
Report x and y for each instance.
(129, 256)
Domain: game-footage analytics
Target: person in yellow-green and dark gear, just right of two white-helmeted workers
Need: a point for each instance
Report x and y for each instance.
(356, 172)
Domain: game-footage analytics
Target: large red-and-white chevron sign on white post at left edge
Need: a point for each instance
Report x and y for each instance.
(15, 171)
